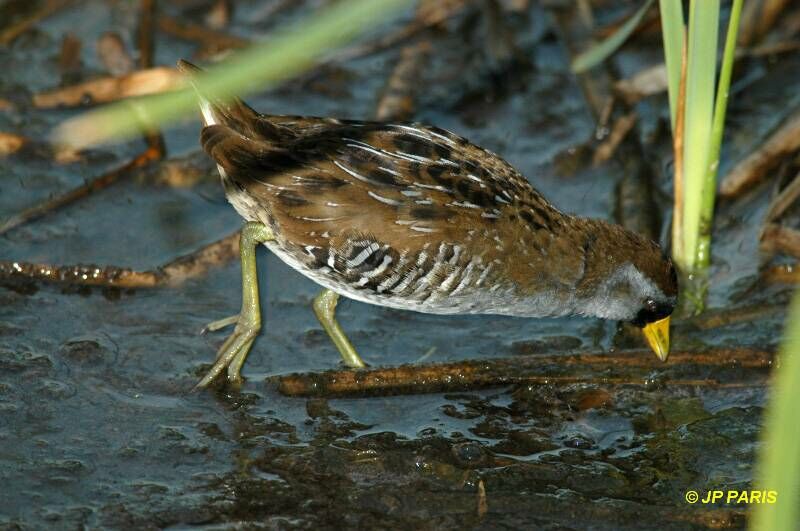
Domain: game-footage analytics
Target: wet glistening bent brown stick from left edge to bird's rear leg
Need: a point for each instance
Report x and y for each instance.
(172, 274)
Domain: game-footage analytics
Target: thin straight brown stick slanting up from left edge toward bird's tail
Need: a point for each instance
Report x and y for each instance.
(95, 185)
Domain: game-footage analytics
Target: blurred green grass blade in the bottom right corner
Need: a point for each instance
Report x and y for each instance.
(779, 457)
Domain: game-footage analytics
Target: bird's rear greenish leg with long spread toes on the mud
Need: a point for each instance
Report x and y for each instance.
(233, 351)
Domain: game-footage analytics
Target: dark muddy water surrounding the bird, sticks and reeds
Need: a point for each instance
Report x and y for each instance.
(97, 425)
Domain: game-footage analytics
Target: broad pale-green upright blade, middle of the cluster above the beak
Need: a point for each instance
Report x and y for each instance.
(700, 77)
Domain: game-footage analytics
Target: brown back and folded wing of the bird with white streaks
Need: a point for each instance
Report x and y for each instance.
(358, 196)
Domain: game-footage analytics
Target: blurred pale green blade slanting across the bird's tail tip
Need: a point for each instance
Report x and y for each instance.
(286, 54)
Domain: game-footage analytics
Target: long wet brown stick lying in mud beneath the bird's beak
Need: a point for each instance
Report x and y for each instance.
(615, 369)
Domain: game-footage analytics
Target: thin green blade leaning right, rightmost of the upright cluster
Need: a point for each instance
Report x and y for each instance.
(703, 250)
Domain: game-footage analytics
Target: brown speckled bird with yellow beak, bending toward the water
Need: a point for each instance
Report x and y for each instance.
(417, 218)
